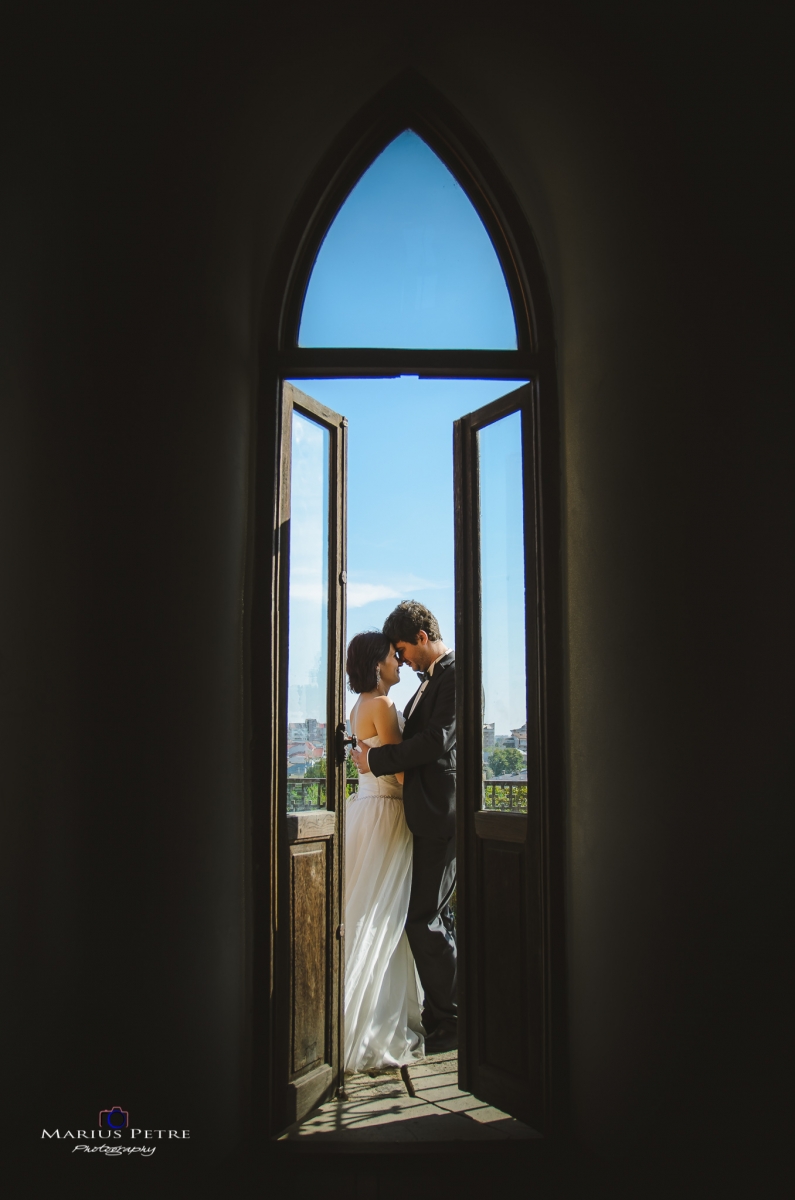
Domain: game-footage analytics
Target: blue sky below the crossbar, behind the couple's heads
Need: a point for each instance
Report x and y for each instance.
(401, 512)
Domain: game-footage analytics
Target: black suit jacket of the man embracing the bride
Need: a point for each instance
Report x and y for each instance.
(427, 755)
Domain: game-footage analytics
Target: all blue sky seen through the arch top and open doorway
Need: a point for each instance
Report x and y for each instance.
(408, 262)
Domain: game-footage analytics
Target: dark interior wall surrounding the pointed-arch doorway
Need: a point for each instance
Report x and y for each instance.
(153, 163)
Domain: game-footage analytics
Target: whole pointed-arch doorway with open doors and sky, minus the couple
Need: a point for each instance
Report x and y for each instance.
(416, 388)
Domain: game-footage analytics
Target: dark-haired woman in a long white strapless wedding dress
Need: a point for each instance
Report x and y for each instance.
(382, 991)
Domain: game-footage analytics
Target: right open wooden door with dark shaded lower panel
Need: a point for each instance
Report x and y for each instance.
(500, 821)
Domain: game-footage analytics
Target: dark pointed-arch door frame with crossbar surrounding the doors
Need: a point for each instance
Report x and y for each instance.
(408, 103)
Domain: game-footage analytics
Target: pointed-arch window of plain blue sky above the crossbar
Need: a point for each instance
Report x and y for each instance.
(408, 263)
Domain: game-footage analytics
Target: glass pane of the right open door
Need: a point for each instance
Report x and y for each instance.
(503, 616)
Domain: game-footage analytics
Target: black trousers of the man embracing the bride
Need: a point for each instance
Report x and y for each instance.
(431, 926)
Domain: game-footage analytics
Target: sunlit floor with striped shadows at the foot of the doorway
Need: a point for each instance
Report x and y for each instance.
(379, 1108)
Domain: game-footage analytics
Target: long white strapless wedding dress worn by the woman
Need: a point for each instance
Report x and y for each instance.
(382, 989)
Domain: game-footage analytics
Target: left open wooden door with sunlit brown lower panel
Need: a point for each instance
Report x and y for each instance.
(312, 548)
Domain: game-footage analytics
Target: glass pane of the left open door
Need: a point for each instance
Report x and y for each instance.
(308, 733)
